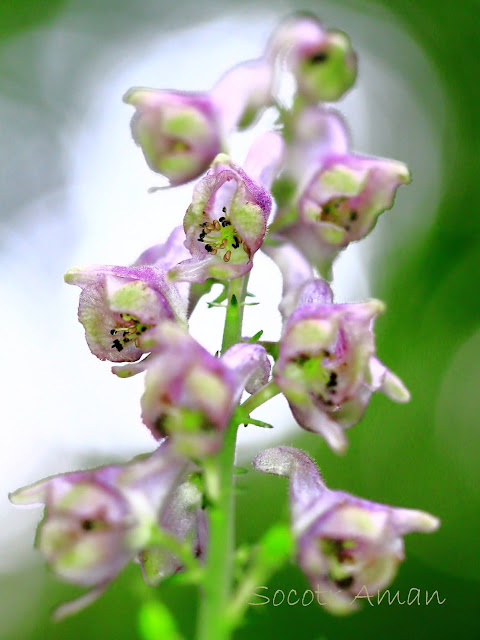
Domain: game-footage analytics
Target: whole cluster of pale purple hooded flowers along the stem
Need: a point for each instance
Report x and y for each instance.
(155, 509)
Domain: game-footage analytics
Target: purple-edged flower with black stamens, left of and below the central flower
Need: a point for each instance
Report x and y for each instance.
(119, 304)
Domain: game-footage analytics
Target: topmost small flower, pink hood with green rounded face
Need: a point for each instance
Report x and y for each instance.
(322, 61)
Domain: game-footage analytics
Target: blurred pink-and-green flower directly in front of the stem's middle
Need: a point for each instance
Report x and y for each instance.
(190, 395)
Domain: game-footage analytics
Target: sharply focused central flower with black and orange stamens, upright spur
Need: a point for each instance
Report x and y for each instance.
(226, 223)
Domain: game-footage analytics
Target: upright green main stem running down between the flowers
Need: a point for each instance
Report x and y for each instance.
(217, 585)
